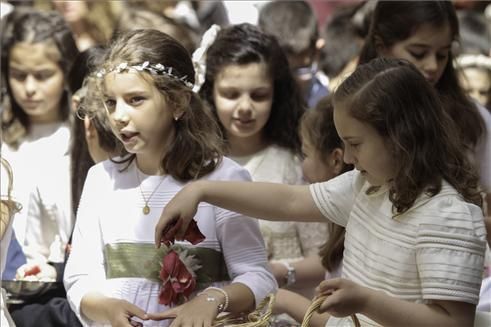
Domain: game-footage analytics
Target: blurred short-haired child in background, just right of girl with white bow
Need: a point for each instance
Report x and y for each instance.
(294, 25)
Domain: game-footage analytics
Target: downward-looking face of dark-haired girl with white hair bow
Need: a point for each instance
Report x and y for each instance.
(243, 97)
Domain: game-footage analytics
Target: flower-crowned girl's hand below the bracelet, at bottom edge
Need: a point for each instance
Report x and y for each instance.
(196, 312)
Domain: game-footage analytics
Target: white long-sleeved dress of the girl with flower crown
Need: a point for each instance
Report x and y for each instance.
(110, 217)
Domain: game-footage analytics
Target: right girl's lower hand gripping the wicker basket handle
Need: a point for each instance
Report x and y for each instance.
(344, 297)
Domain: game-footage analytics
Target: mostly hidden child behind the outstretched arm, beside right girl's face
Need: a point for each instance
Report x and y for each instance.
(322, 160)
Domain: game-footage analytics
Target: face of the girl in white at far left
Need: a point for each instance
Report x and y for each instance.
(36, 80)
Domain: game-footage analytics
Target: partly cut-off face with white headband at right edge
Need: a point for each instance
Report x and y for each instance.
(477, 83)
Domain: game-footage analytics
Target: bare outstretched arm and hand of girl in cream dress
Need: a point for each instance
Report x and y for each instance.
(269, 201)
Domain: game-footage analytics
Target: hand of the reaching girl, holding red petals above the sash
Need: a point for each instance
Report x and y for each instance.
(178, 213)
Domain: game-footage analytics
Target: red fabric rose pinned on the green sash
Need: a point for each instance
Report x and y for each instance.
(177, 281)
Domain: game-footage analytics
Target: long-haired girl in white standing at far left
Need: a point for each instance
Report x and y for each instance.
(38, 52)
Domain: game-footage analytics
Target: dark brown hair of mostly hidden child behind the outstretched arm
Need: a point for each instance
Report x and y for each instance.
(318, 127)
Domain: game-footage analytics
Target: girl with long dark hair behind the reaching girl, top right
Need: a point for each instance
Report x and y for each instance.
(423, 32)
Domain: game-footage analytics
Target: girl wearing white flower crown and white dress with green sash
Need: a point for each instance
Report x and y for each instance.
(115, 275)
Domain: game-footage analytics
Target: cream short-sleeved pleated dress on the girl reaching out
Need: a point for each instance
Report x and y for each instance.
(433, 251)
